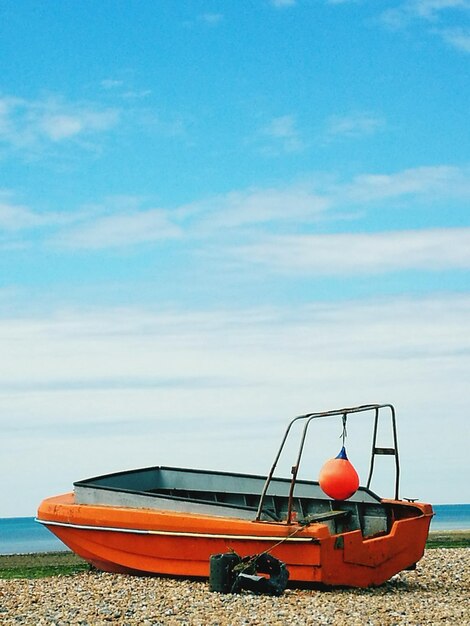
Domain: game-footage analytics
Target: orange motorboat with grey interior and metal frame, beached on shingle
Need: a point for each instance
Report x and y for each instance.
(163, 520)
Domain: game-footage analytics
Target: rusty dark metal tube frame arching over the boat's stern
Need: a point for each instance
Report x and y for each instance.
(309, 417)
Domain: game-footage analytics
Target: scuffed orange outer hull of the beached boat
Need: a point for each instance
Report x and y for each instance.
(149, 541)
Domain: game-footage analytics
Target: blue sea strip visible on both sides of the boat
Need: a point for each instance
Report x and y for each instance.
(23, 535)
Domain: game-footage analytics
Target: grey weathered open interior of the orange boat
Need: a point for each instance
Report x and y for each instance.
(238, 495)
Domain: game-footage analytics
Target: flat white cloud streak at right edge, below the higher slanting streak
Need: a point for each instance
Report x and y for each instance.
(363, 253)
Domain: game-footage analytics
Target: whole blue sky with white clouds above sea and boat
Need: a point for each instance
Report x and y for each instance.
(215, 215)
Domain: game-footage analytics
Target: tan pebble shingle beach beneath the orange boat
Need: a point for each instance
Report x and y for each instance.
(437, 592)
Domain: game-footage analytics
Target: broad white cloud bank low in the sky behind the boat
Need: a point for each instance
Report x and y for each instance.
(138, 387)
